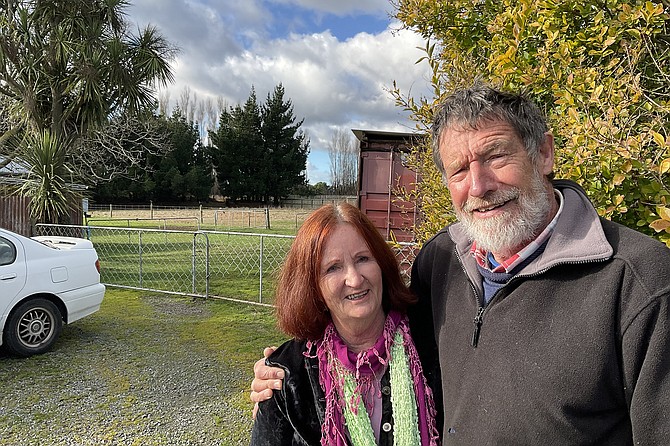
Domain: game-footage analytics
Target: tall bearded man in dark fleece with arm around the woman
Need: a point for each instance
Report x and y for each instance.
(538, 322)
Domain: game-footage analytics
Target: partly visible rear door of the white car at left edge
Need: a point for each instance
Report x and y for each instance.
(12, 271)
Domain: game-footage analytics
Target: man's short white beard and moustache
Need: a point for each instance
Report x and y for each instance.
(506, 234)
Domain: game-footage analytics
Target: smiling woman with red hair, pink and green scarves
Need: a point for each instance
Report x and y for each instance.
(352, 375)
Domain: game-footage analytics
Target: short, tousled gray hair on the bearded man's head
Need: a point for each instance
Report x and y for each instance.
(472, 107)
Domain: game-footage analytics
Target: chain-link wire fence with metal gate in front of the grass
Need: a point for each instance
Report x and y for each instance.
(227, 265)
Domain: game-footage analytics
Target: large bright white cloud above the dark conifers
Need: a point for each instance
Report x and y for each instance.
(334, 82)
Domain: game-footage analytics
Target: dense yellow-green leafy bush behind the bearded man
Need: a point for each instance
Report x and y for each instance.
(600, 70)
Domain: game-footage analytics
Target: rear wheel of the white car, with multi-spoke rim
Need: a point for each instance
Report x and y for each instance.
(33, 327)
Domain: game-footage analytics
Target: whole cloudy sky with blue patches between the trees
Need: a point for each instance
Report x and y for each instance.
(336, 59)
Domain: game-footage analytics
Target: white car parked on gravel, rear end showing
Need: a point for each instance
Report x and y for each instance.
(45, 282)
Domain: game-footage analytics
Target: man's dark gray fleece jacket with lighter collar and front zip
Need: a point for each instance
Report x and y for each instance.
(574, 350)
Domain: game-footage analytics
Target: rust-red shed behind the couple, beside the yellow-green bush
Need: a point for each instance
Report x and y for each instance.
(382, 173)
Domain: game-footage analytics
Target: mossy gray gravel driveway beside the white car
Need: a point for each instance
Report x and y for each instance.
(135, 376)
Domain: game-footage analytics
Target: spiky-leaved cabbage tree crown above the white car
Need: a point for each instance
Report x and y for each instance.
(68, 69)
